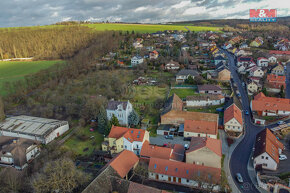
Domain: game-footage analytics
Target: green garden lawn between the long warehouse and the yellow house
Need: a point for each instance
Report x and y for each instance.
(84, 141)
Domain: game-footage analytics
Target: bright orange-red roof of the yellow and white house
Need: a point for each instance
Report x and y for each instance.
(130, 134)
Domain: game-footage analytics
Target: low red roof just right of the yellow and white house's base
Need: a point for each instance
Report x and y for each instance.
(155, 151)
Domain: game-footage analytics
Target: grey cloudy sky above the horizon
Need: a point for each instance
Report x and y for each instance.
(43, 12)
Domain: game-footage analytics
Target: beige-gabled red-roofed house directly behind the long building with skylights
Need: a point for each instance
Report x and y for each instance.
(204, 151)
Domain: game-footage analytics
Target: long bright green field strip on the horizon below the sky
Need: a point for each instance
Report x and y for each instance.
(146, 28)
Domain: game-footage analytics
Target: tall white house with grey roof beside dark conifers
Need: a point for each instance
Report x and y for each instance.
(120, 109)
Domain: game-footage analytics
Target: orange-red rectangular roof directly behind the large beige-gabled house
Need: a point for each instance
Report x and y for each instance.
(207, 127)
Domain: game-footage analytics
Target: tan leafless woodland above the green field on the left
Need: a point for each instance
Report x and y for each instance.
(58, 42)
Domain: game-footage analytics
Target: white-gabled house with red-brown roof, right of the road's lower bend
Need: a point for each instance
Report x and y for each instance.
(267, 150)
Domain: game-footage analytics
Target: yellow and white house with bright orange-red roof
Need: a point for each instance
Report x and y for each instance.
(121, 138)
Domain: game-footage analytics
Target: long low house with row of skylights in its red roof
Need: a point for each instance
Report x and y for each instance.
(185, 174)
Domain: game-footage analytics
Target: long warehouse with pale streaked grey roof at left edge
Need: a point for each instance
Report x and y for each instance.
(33, 126)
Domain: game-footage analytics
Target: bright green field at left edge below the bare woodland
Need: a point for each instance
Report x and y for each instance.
(12, 71)
